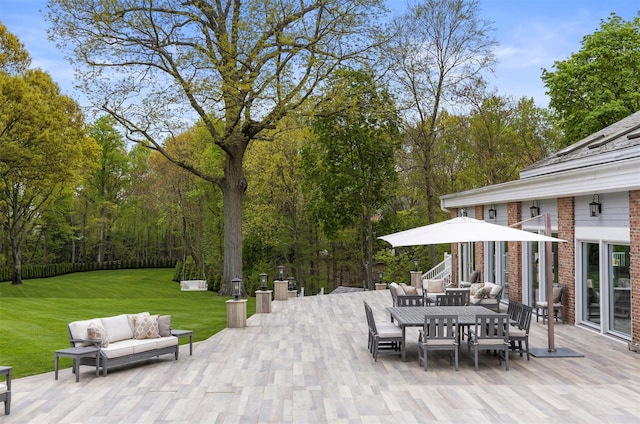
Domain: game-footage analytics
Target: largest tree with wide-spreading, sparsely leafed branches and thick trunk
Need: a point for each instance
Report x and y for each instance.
(244, 64)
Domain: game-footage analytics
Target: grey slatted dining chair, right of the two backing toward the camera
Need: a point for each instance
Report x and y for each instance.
(490, 332)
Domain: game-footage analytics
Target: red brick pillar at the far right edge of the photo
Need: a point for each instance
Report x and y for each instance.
(634, 269)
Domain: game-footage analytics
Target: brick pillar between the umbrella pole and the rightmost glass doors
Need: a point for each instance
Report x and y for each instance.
(567, 254)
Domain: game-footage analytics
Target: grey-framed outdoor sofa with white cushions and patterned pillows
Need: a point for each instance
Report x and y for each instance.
(125, 338)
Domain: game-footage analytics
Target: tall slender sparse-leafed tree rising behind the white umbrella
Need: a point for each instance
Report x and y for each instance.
(440, 48)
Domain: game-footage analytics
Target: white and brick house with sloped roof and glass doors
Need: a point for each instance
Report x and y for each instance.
(591, 191)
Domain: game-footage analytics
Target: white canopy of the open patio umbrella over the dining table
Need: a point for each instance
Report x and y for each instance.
(462, 230)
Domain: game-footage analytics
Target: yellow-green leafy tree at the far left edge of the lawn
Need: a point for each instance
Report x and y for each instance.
(42, 145)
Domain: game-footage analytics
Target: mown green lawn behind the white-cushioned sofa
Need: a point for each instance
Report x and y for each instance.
(34, 315)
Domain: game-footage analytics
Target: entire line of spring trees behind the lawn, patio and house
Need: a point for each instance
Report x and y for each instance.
(238, 136)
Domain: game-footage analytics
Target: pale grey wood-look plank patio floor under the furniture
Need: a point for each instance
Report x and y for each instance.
(308, 362)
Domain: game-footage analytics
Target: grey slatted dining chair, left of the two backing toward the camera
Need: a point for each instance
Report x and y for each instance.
(440, 332)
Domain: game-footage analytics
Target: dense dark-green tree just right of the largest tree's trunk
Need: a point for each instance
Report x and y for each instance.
(350, 166)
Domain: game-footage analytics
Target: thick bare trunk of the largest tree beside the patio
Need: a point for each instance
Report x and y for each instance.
(233, 188)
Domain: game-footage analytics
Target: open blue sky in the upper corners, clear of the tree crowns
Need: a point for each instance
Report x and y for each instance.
(532, 35)
